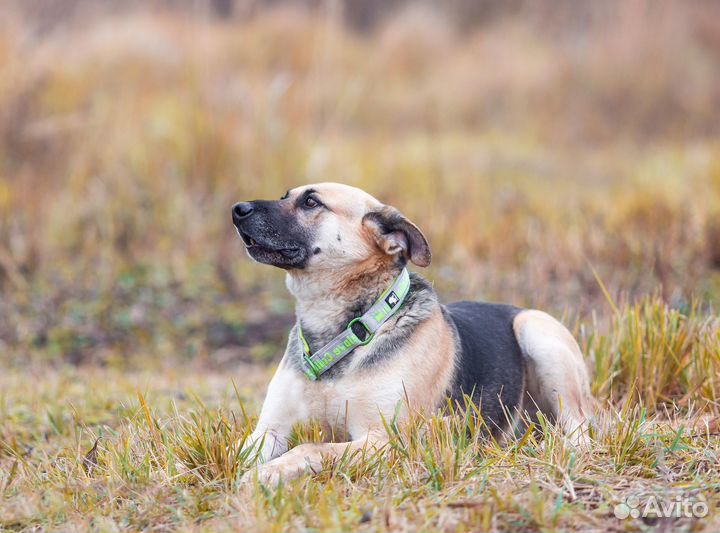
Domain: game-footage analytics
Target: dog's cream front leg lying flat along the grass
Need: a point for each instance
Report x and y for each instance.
(309, 458)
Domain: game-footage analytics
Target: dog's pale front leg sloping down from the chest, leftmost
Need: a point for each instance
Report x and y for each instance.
(283, 406)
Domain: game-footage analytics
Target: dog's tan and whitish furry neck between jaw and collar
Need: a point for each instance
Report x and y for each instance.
(326, 302)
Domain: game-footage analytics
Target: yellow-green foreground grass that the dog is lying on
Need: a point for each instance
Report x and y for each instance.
(105, 450)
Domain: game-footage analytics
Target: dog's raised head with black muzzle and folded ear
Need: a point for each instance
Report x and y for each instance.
(327, 226)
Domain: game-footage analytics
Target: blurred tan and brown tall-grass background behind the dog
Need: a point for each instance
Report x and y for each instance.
(541, 146)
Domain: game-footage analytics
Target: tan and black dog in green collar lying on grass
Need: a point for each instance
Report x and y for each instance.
(372, 341)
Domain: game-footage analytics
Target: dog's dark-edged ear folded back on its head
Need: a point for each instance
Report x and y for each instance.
(395, 234)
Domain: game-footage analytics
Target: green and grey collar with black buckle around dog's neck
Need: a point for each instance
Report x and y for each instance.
(386, 306)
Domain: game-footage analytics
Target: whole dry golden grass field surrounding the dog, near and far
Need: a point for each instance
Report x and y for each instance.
(557, 159)
